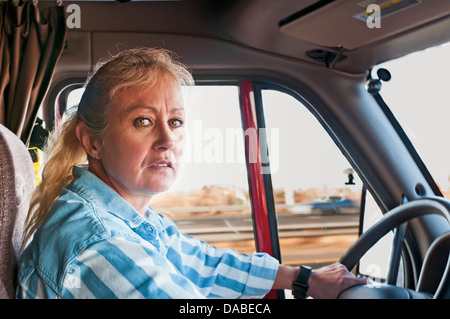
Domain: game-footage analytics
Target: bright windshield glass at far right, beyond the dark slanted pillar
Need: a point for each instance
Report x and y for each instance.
(418, 96)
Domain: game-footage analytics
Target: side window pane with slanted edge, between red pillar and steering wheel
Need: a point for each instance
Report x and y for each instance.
(317, 212)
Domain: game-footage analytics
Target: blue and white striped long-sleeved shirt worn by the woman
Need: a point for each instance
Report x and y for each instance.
(96, 245)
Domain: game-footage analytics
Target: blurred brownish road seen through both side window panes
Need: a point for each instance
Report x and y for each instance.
(310, 238)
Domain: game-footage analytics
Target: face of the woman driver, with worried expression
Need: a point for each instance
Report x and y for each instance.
(143, 144)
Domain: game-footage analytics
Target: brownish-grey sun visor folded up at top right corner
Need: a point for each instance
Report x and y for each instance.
(355, 23)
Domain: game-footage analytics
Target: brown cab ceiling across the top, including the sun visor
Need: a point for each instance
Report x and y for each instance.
(287, 28)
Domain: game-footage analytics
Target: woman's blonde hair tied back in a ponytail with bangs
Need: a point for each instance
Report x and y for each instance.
(129, 70)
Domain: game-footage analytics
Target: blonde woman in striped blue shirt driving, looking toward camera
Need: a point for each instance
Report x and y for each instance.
(91, 232)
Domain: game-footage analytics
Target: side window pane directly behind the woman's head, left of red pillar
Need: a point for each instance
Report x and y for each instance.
(210, 198)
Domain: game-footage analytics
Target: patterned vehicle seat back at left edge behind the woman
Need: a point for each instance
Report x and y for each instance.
(17, 182)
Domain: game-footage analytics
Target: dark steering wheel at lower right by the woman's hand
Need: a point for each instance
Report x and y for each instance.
(392, 219)
